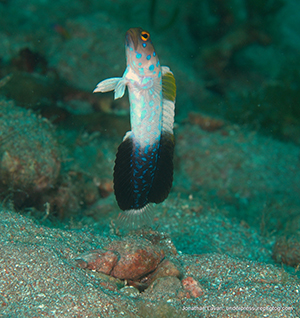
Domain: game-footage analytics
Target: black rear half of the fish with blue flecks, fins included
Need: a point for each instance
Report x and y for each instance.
(144, 175)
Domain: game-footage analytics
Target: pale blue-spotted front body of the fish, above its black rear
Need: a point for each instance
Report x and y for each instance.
(144, 82)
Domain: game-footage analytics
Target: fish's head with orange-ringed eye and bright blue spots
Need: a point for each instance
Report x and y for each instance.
(140, 53)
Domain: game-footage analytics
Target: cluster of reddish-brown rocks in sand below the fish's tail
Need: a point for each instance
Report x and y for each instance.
(135, 260)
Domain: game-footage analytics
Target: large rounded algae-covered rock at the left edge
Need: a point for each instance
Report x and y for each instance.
(29, 154)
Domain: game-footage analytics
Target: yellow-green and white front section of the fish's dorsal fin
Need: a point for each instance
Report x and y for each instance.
(169, 95)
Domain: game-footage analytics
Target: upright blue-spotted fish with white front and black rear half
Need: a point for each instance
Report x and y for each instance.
(143, 171)
